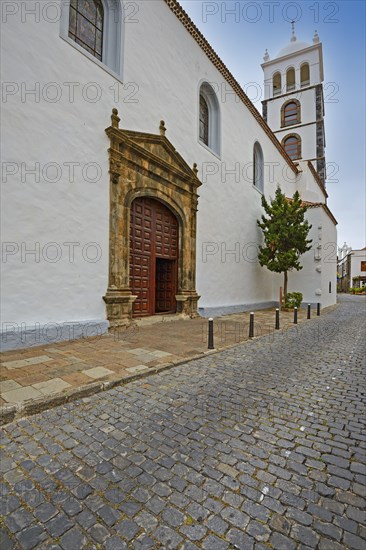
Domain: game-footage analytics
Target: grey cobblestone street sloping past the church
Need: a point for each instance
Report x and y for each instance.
(259, 446)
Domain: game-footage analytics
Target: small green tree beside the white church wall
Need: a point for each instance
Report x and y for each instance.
(285, 233)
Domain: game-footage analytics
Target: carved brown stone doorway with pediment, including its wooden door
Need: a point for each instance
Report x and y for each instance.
(145, 169)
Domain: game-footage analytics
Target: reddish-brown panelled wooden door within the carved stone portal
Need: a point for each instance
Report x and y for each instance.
(154, 237)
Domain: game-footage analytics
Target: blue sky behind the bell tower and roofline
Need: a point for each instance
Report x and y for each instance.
(241, 31)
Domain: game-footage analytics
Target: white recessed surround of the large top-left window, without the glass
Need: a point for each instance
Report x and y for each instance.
(113, 34)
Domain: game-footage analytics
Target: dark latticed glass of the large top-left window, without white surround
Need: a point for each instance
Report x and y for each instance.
(86, 21)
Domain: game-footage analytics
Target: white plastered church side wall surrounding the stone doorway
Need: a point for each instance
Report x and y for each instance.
(159, 83)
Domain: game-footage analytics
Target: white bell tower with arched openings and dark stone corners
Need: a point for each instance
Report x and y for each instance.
(293, 104)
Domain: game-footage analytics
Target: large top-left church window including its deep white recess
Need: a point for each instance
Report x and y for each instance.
(95, 27)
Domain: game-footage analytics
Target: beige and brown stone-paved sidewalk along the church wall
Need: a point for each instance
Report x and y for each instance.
(41, 376)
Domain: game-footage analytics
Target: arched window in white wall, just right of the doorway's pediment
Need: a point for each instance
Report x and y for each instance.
(209, 118)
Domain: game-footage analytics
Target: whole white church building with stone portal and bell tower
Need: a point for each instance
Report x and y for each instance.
(134, 167)
